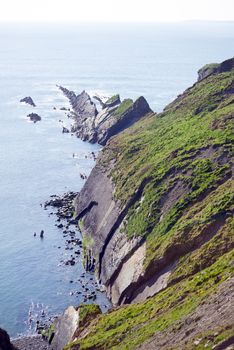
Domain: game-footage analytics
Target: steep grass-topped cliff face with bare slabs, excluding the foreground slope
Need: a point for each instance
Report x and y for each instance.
(151, 184)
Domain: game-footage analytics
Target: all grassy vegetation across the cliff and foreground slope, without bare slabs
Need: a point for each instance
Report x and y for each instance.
(182, 159)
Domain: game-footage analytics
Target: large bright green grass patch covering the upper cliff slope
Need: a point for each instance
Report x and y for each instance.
(167, 148)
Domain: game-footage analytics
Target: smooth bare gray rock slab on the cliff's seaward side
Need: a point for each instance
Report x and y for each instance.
(119, 261)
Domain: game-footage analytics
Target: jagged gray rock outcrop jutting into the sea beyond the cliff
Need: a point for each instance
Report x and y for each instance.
(114, 117)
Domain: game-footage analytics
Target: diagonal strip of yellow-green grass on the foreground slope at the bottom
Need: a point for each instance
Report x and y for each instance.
(129, 326)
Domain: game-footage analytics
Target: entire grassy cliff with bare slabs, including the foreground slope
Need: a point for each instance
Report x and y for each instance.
(156, 214)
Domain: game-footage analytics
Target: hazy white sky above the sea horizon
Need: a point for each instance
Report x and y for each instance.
(116, 10)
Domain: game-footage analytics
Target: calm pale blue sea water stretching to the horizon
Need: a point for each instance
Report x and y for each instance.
(157, 61)
